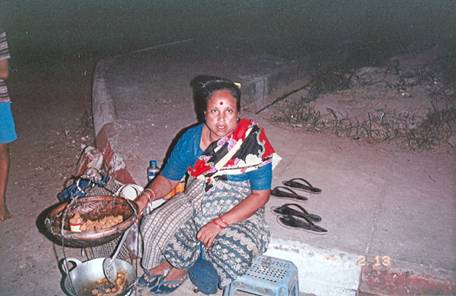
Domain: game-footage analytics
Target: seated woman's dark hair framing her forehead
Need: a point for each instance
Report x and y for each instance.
(204, 86)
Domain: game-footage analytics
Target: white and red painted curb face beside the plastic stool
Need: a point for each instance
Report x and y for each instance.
(335, 272)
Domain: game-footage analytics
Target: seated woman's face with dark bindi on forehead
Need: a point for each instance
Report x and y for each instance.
(221, 114)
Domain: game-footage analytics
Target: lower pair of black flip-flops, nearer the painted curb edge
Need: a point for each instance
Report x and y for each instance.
(295, 216)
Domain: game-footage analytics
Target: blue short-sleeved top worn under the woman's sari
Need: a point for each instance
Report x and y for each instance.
(187, 150)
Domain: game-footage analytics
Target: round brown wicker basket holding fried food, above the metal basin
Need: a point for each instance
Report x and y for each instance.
(93, 207)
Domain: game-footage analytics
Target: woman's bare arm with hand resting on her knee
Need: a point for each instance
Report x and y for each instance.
(238, 213)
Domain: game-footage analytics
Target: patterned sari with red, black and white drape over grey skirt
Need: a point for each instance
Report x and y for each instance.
(170, 231)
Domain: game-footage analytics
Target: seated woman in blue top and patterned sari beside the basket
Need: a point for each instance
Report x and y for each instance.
(229, 166)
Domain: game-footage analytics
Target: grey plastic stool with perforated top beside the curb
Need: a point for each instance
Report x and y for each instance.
(267, 276)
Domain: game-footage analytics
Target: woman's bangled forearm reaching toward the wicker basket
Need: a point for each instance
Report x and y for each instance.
(157, 189)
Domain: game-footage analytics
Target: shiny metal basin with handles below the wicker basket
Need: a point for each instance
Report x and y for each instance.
(85, 274)
